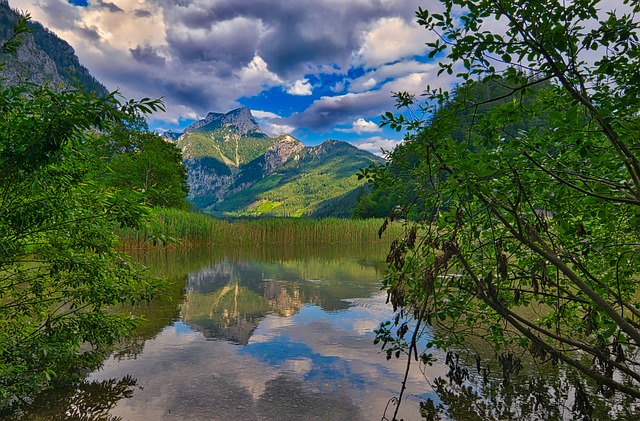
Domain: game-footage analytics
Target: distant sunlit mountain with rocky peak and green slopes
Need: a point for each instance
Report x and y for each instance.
(235, 169)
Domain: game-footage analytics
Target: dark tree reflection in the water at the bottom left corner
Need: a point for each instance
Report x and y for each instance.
(87, 401)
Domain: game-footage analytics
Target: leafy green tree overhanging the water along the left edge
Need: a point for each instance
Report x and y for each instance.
(60, 271)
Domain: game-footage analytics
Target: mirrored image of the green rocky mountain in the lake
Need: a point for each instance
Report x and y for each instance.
(227, 300)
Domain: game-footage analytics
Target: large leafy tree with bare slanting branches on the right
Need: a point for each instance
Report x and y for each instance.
(529, 238)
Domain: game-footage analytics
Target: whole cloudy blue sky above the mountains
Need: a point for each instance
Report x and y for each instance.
(316, 69)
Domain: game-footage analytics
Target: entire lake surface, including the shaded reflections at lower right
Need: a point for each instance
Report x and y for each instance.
(287, 334)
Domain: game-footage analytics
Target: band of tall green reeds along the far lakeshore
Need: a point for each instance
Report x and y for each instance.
(198, 230)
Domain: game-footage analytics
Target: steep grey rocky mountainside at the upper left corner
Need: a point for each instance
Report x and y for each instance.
(42, 58)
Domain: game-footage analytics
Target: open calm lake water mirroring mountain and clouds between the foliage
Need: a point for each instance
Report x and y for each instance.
(275, 334)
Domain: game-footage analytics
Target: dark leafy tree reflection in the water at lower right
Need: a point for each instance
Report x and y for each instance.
(533, 392)
